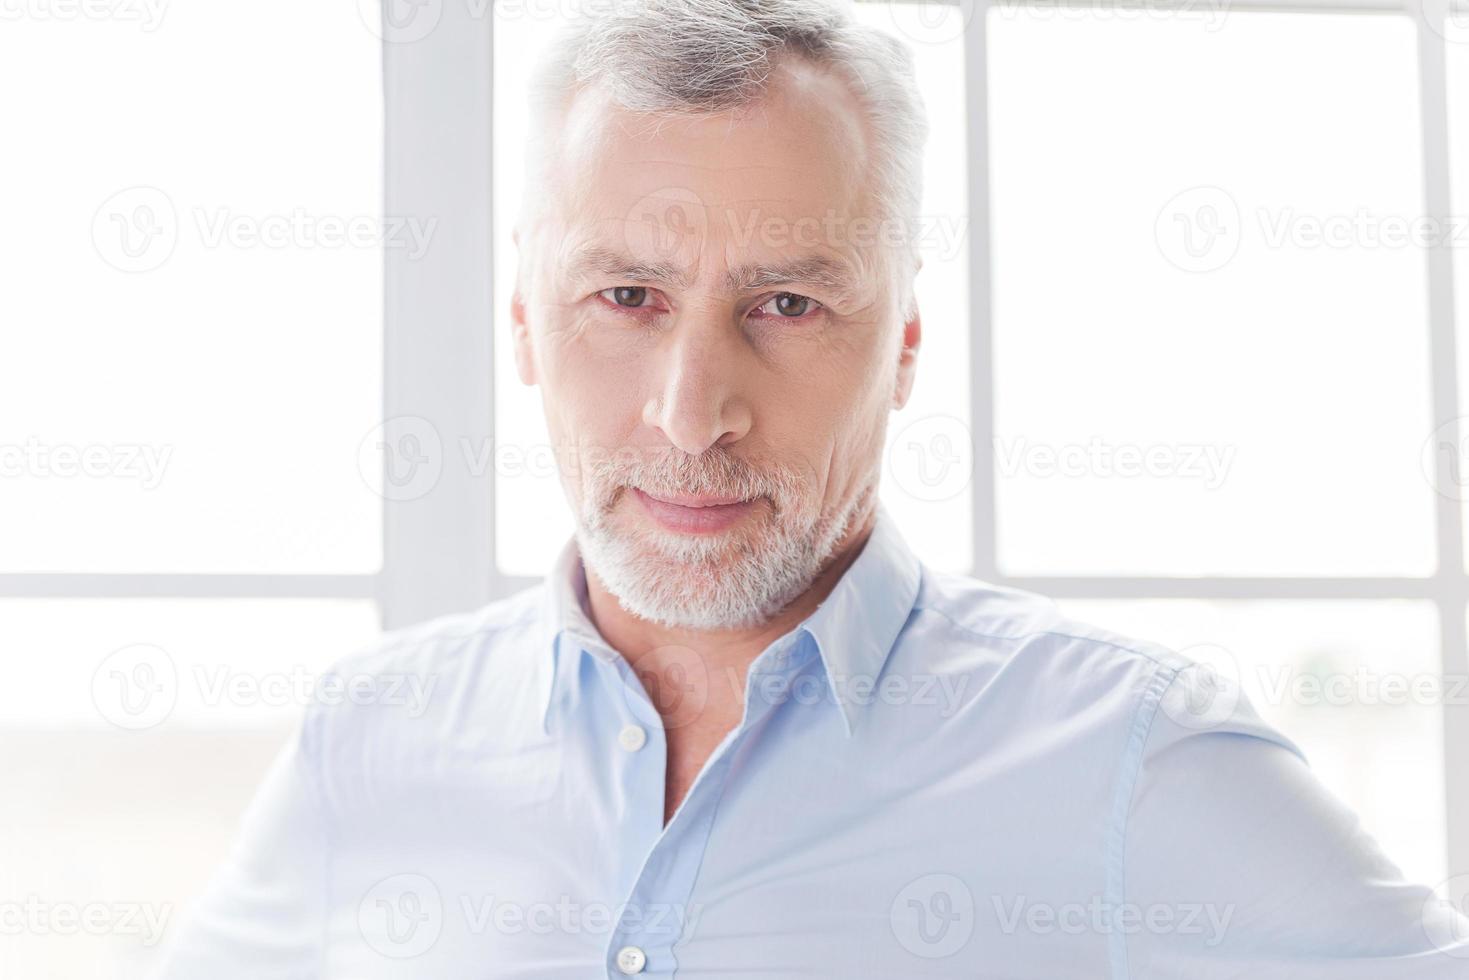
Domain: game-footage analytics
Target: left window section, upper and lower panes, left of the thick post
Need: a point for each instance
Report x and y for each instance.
(190, 358)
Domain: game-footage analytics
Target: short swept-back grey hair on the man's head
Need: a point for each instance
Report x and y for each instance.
(710, 57)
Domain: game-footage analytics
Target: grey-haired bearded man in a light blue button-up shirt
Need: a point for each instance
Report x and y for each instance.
(741, 731)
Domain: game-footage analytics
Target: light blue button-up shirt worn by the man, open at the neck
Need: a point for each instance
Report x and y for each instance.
(934, 778)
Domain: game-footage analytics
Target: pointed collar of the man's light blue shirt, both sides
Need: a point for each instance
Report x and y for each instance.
(854, 630)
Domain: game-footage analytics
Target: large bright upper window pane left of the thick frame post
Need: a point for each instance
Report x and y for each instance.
(190, 331)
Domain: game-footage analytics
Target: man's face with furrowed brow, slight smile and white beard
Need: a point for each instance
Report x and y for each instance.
(712, 318)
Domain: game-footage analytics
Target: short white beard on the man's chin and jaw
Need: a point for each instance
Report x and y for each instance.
(737, 580)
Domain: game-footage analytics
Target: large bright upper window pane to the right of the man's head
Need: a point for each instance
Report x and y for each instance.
(1211, 336)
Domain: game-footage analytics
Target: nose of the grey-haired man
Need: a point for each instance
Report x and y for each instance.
(700, 396)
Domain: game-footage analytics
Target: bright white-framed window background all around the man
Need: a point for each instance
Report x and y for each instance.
(1119, 203)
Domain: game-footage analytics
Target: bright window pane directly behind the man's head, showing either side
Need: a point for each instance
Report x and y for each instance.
(926, 472)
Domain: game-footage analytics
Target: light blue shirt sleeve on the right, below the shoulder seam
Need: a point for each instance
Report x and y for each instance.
(1235, 862)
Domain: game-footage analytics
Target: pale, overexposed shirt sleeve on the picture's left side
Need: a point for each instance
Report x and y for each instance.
(262, 916)
